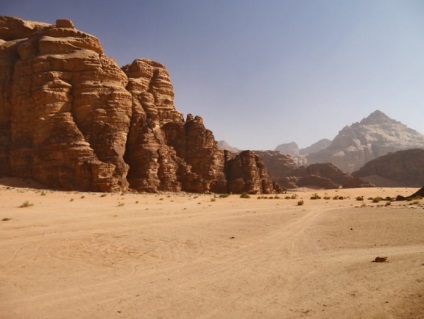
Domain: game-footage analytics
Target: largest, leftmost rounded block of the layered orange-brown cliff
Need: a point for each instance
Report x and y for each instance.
(60, 122)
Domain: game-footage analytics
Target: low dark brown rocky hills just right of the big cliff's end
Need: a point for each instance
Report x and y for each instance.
(284, 170)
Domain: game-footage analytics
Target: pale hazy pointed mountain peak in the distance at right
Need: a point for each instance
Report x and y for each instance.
(359, 143)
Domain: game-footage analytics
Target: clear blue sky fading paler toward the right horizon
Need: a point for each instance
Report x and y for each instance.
(267, 72)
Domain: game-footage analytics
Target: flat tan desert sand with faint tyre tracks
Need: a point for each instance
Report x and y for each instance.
(90, 255)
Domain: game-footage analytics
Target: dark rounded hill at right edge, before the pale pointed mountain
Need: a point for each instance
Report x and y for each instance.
(401, 169)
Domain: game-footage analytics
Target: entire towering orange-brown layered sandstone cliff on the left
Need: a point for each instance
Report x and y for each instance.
(71, 118)
